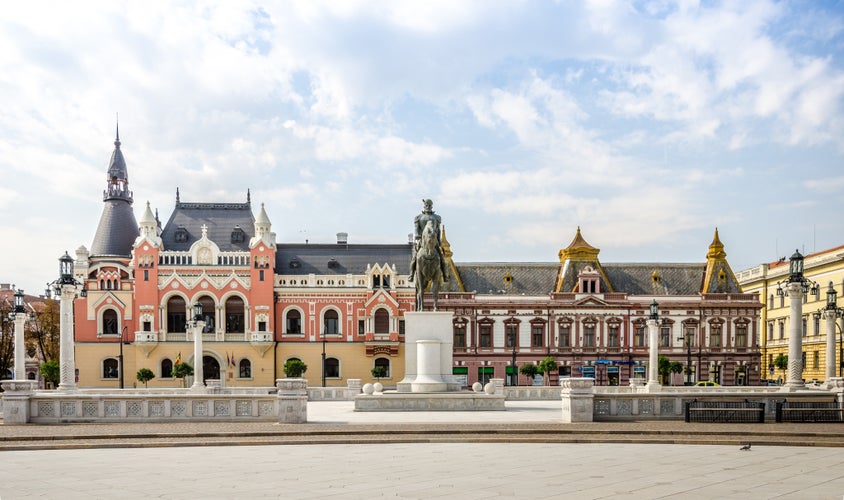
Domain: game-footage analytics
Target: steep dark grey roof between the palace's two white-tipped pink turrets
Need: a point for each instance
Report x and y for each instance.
(220, 218)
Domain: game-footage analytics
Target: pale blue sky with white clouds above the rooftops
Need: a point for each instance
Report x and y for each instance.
(647, 124)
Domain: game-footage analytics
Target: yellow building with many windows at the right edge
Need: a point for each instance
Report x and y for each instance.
(825, 268)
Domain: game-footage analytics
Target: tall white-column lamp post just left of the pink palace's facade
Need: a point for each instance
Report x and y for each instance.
(68, 288)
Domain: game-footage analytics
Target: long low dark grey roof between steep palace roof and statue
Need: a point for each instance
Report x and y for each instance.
(347, 259)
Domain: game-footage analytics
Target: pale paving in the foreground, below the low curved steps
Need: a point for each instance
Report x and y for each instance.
(426, 470)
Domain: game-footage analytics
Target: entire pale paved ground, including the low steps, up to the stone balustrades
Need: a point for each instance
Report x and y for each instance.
(524, 451)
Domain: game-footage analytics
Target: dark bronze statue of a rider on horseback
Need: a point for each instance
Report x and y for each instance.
(427, 266)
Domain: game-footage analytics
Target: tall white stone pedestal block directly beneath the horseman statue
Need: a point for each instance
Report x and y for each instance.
(429, 327)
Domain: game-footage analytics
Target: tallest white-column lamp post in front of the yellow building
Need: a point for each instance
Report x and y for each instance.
(796, 286)
